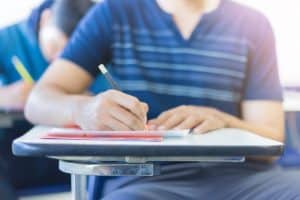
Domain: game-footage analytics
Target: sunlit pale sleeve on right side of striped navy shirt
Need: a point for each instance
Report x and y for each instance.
(262, 80)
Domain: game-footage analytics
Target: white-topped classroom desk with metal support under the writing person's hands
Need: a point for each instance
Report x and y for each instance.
(127, 158)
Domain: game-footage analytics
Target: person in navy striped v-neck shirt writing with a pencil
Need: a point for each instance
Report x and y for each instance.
(201, 64)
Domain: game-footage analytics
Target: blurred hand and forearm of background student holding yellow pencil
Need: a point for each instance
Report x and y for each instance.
(15, 95)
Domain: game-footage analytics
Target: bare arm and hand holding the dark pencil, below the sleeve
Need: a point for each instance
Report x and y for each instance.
(55, 101)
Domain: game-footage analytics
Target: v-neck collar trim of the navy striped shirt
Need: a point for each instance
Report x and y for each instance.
(200, 27)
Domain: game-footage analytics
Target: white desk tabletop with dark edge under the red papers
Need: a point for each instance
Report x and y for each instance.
(224, 142)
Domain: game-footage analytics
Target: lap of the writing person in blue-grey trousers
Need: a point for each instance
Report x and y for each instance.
(194, 181)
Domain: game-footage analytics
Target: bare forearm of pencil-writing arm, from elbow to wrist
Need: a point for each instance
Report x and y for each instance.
(52, 106)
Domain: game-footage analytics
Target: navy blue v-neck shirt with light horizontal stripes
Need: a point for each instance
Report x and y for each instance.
(229, 58)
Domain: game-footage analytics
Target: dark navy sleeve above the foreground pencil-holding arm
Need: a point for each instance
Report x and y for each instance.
(89, 45)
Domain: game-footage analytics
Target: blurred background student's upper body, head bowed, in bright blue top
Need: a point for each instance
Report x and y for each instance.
(36, 42)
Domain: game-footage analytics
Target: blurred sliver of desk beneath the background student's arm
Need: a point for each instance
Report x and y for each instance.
(9, 116)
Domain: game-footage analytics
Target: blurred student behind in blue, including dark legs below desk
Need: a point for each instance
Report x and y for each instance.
(36, 42)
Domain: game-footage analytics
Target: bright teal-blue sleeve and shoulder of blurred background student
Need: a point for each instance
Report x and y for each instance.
(19, 40)
